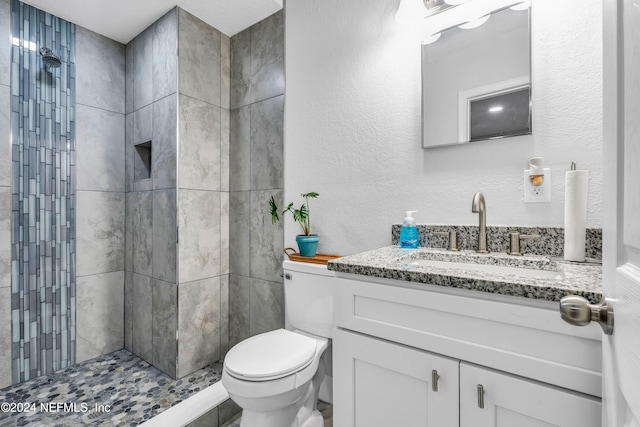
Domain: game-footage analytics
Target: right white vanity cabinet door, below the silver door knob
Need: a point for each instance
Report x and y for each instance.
(515, 401)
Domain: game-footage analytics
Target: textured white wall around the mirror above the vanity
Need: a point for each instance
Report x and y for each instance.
(353, 126)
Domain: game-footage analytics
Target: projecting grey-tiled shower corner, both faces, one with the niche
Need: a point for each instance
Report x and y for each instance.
(178, 290)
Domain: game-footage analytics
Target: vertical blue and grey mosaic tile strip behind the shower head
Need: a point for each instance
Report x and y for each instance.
(43, 194)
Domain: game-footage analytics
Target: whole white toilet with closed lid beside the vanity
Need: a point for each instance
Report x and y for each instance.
(275, 377)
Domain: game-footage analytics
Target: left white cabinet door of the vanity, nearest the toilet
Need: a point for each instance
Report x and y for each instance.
(378, 383)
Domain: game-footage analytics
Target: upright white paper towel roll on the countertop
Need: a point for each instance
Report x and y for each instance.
(576, 190)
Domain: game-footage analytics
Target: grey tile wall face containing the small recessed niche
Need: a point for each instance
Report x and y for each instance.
(151, 107)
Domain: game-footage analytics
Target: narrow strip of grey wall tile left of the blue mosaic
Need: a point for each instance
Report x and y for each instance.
(5, 196)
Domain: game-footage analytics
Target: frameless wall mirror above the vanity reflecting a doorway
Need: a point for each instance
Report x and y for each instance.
(476, 82)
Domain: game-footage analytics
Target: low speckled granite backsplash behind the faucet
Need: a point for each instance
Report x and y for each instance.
(551, 240)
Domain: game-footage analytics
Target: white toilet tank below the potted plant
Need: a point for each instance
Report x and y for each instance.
(308, 298)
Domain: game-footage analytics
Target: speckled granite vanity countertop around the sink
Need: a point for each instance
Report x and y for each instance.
(391, 262)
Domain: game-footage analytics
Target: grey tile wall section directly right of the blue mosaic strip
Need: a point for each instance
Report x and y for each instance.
(100, 212)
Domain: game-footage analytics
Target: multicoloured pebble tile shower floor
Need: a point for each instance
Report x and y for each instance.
(132, 389)
